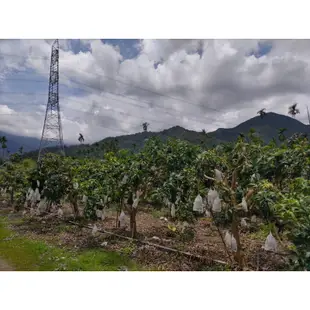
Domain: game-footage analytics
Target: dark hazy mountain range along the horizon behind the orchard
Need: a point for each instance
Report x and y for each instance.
(267, 127)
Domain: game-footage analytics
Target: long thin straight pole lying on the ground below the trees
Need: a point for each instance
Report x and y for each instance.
(187, 254)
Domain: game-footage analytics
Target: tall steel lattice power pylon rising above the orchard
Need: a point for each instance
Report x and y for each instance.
(52, 129)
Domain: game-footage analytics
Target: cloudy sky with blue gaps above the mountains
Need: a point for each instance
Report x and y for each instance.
(110, 87)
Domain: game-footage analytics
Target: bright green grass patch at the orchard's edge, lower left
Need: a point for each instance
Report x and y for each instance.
(33, 255)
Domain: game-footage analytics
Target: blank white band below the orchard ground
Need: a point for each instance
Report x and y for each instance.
(153, 290)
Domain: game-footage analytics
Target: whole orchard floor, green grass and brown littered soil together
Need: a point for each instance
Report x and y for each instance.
(48, 243)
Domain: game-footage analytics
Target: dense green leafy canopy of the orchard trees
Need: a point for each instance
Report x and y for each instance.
(174, 172)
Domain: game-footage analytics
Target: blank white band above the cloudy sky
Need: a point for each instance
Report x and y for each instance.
(241, 19)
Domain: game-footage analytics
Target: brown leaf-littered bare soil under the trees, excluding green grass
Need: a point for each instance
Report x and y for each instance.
(201, 238)
